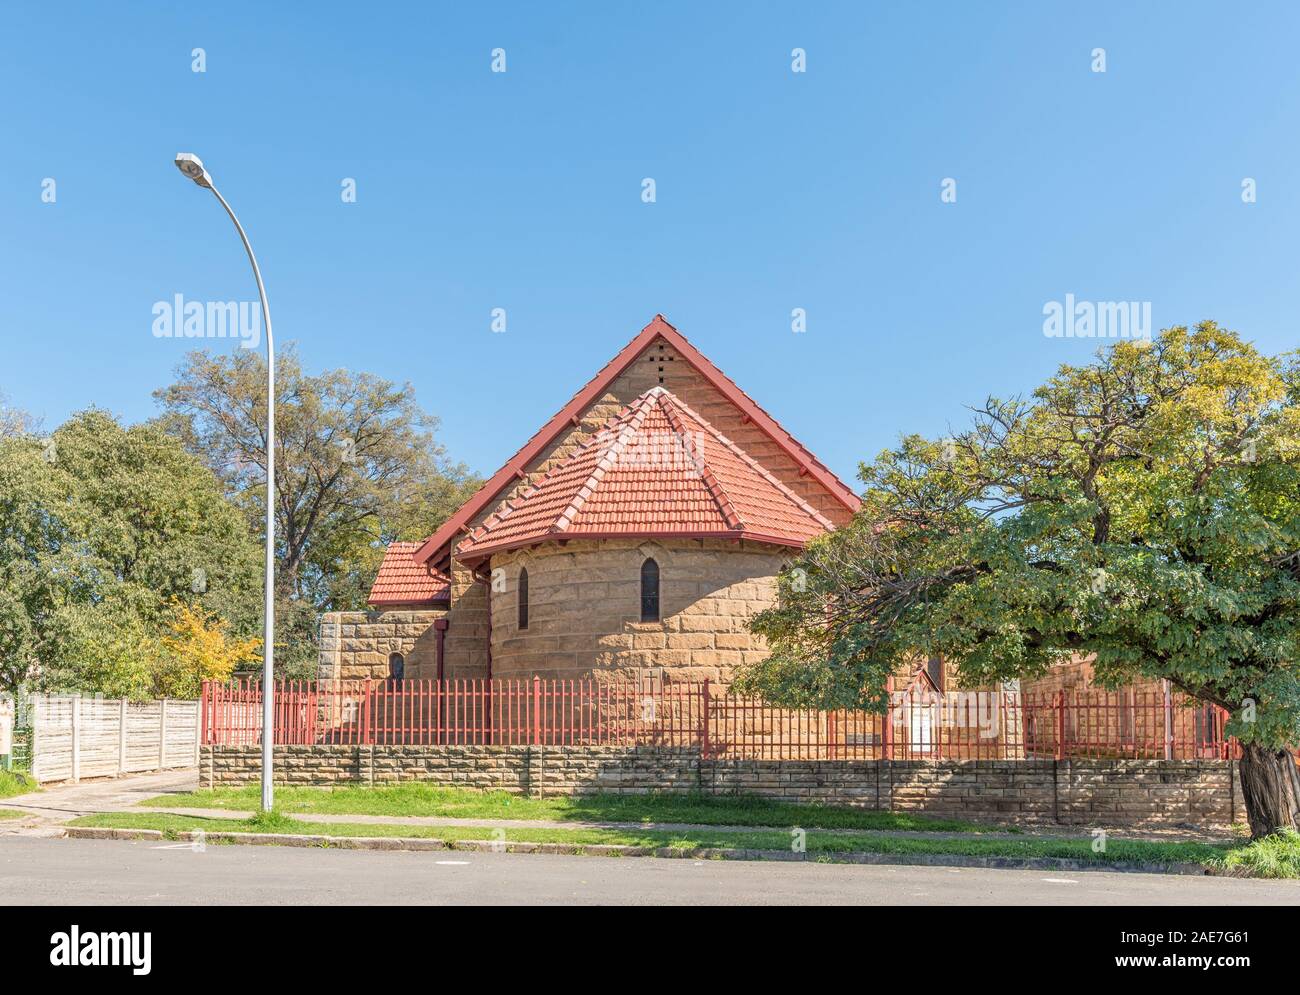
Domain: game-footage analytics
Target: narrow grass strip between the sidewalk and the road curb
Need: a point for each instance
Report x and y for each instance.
(825, 845)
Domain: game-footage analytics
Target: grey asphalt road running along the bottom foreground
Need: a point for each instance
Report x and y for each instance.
(60, 872)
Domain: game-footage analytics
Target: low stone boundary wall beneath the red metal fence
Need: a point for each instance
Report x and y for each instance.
(1116, 793)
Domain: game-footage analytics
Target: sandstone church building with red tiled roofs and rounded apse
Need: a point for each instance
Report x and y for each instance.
(638, 531)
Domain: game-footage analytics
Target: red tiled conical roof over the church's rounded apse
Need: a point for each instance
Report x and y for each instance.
(656, 470)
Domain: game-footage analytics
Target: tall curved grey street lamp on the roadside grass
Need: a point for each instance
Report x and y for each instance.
(193, 167)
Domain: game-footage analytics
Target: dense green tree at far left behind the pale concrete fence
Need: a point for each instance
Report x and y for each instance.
(103, 529)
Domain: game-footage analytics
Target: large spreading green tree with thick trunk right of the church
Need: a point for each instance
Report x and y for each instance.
(1145, 509)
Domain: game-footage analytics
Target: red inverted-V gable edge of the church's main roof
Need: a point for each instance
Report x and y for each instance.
(437, 546)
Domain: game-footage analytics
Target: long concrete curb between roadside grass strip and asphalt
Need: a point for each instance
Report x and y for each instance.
(612, 850)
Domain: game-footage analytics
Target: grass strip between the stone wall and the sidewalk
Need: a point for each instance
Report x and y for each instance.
(417, 799)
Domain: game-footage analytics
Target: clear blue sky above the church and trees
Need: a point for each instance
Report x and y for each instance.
(523, 191)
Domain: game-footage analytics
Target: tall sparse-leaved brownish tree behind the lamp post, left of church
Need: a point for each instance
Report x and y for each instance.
(357, 464)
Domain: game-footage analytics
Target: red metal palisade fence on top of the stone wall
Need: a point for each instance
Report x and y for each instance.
(974, 725)
